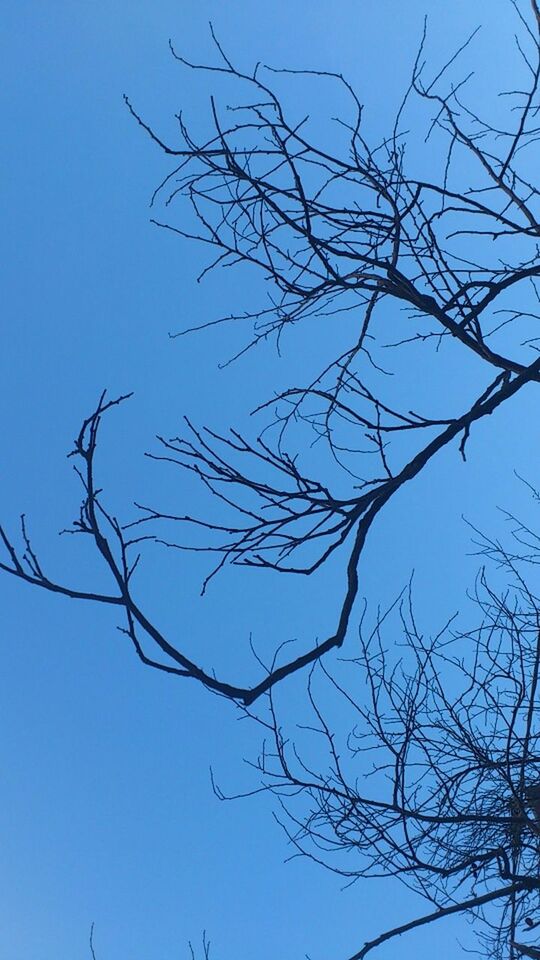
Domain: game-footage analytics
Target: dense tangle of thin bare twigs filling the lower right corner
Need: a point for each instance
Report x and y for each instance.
(437, 784)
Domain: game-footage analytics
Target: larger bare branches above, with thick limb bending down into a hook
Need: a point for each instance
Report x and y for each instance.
(444, 264)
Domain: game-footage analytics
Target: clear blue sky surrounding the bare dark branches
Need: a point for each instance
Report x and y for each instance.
(106, 809)
